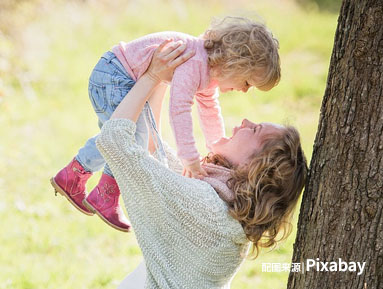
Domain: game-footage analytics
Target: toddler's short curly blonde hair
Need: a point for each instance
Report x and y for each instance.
(241, 47)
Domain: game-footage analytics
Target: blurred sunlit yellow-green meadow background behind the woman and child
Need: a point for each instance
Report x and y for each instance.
(47, 51)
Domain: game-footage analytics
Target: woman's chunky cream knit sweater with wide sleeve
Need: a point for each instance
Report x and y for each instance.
(182, 226)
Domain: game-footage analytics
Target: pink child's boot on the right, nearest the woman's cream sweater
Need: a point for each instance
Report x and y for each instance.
(104, 201)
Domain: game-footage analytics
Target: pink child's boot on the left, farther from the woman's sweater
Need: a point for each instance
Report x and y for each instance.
(70, 182)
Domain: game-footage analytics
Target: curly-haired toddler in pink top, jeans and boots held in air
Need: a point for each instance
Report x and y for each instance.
(233, 54)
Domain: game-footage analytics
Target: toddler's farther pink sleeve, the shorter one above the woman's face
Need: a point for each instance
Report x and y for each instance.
(210, 117)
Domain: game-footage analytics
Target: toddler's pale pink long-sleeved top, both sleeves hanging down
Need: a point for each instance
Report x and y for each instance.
(191, 80)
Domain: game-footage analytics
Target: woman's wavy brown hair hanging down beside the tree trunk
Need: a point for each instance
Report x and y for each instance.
(268, 188)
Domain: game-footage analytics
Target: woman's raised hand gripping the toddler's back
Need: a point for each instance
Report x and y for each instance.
(166, 58)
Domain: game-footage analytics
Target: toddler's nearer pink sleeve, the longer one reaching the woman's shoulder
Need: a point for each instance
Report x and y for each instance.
(185, 83)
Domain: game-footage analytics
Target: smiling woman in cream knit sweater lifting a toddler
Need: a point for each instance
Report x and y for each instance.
(196, 233)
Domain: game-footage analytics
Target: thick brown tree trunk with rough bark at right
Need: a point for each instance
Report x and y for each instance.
(341, 213)
